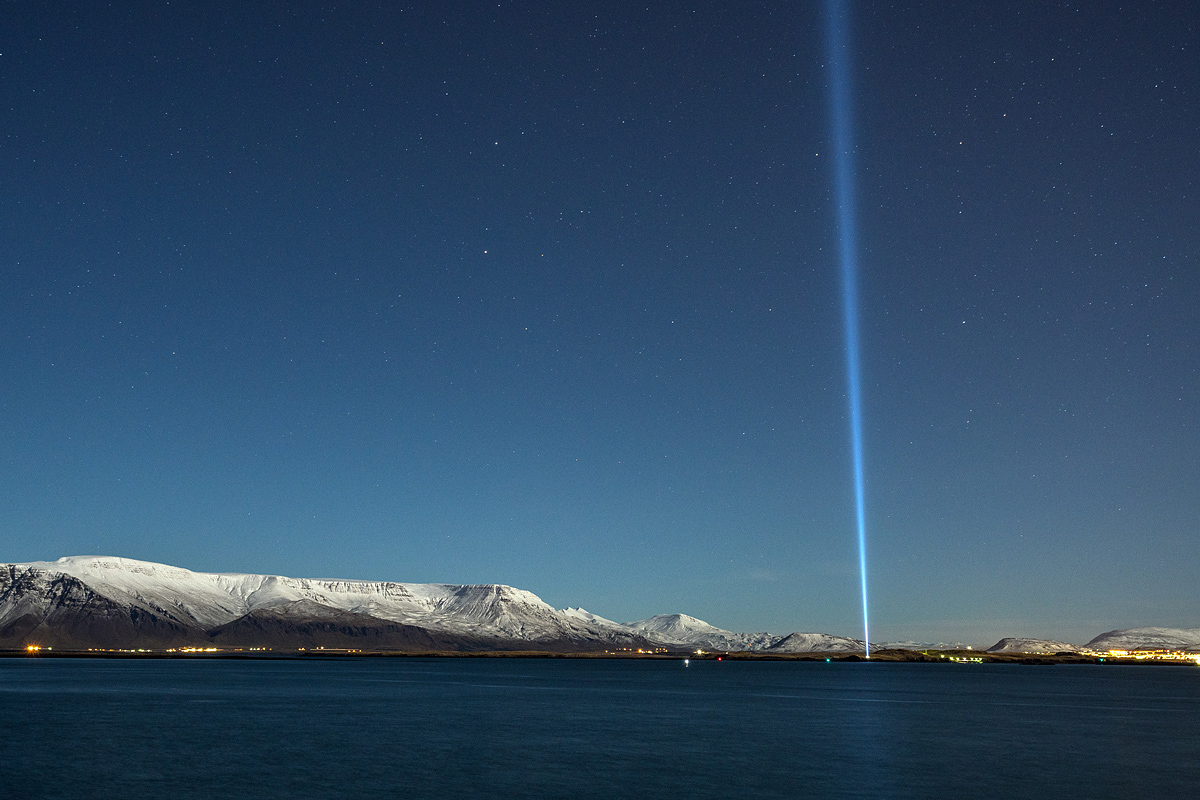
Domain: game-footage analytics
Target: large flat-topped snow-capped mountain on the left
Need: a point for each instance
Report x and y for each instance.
(104, 601)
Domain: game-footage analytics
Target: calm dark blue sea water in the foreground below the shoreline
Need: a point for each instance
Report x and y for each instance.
(574, 729)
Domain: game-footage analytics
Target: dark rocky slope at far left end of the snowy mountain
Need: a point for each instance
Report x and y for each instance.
(58, 611)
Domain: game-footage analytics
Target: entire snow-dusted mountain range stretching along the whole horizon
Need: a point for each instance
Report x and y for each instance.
(112, 603)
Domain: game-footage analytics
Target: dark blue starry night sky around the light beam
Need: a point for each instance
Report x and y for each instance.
(548, 294)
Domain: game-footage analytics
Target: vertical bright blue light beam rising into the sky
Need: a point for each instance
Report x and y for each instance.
(848, 250)
